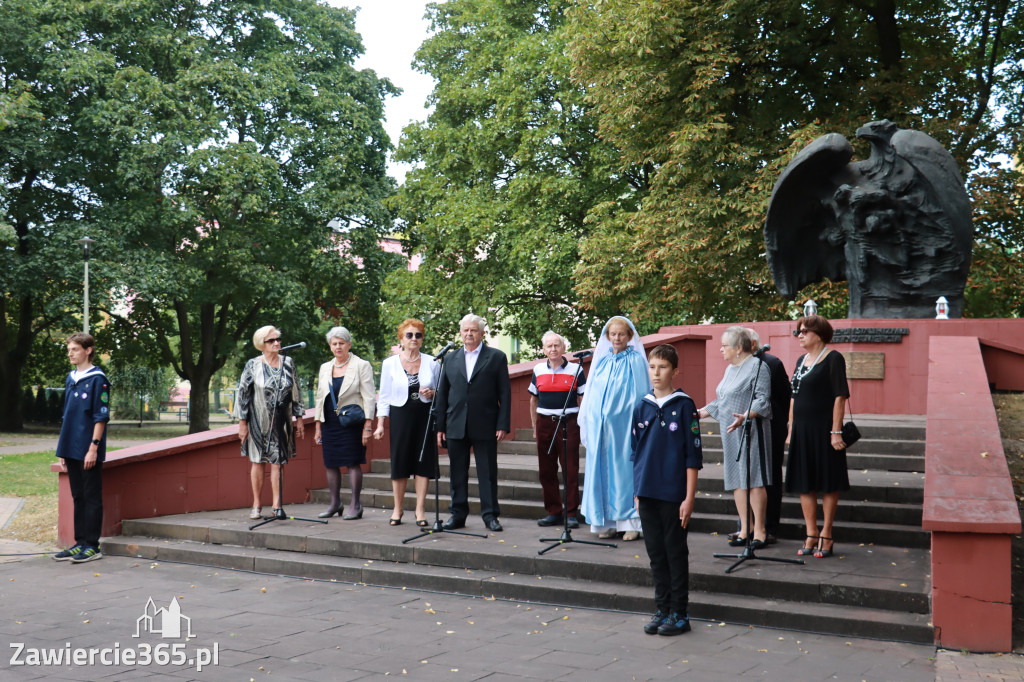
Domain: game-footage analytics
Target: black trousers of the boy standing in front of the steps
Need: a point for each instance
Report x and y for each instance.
(670, 559)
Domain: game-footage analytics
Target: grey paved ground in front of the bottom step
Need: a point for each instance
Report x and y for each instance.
(276, 628)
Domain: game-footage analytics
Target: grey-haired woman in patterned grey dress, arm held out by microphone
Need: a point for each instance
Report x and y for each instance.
(730, 407)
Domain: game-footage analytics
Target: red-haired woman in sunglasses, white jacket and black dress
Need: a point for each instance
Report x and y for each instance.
(408, 382)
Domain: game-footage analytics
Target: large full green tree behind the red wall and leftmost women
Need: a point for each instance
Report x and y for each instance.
(219, 141)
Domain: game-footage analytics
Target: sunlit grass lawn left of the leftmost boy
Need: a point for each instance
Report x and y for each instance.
(29, 477)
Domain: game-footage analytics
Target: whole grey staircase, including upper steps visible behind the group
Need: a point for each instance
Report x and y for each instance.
(878, 585)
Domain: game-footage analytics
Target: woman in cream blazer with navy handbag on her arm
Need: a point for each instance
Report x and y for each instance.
(345, 383)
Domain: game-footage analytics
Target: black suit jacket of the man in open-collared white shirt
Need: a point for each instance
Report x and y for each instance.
(477, 408)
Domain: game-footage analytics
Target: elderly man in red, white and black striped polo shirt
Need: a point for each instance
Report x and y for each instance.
(549, 389)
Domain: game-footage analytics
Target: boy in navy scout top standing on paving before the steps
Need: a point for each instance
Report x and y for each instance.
(666, 459)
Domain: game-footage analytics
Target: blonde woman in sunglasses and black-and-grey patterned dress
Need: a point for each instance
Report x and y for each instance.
(268, 402)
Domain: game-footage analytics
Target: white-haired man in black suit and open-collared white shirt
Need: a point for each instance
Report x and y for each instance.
(475, 412)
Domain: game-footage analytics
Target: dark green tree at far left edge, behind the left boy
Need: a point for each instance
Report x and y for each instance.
(46, 205)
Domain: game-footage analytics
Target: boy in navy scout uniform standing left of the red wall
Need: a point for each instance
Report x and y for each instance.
(82, 447)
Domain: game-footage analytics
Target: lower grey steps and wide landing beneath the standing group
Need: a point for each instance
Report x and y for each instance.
(864, 591)
